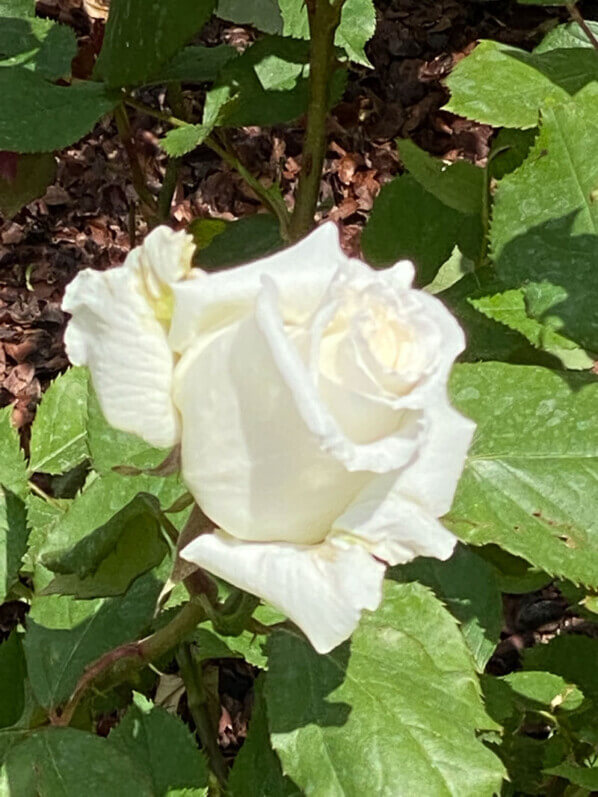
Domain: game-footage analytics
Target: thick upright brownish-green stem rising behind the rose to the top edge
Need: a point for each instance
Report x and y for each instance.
(324, 17)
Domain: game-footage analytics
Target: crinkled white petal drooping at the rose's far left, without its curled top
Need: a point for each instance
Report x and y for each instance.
(115, 333)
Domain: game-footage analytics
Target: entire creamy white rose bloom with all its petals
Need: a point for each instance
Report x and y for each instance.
(309, 395)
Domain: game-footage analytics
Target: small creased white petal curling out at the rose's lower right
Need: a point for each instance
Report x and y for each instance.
(393, 527)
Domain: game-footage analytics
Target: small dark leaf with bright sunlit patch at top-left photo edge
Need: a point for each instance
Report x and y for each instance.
(40, 45)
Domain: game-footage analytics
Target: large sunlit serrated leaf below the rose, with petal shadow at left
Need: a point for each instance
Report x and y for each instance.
(403, 690)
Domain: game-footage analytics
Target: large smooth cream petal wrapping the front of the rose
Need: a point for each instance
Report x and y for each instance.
(253, 465)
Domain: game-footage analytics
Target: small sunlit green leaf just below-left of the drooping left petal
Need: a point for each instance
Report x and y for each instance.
(59, 431)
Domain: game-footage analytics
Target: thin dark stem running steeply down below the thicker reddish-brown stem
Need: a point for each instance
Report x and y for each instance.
(198, 706)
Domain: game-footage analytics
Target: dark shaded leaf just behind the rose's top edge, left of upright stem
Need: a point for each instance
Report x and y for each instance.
(242, 241)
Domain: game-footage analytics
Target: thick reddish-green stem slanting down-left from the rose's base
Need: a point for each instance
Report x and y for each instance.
(119, 664)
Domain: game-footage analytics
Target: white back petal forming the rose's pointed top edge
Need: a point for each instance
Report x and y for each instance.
(301, 273)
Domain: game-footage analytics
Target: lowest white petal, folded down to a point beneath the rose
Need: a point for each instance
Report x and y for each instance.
(321, 588)
